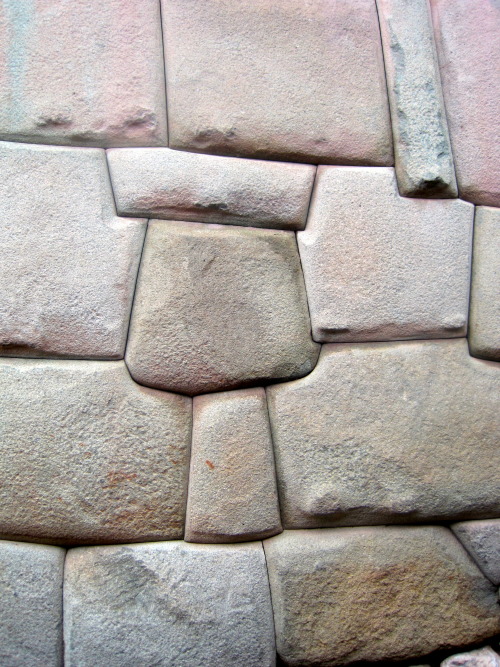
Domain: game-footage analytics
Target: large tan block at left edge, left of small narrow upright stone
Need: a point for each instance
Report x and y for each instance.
(88, 456)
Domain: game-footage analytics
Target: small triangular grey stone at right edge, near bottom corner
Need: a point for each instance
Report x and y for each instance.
(482, 541)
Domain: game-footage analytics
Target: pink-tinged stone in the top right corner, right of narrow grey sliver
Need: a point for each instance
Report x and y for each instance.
(468, 44)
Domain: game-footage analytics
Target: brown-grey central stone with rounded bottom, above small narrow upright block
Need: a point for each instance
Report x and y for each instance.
(218, 307)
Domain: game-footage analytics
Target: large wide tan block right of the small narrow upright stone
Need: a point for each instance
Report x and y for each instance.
(388, 432)
